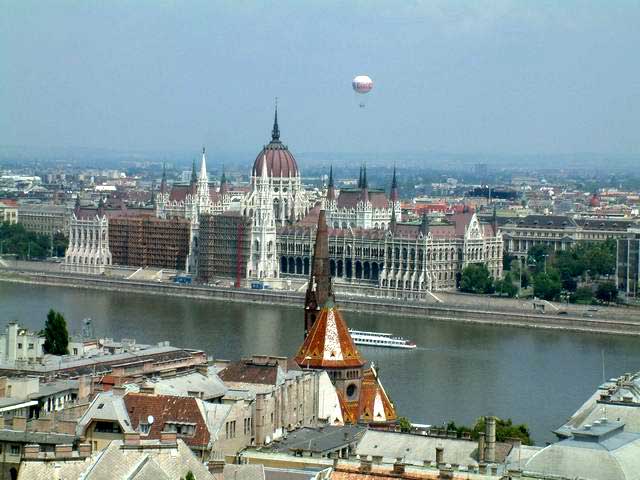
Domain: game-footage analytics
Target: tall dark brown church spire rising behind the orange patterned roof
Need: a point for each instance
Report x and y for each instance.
(319, 289)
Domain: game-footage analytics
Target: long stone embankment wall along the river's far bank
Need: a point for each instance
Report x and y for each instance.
(404, 308)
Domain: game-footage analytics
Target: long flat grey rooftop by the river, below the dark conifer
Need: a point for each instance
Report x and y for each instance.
(141, 360)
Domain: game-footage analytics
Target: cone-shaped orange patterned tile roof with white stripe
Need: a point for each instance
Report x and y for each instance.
(329, 343)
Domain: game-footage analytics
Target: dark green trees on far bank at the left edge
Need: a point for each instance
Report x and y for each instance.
(16, 240)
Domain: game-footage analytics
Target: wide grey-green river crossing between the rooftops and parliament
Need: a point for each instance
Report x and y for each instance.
(458, 372)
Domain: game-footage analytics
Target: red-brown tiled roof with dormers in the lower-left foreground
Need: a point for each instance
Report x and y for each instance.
(164, 409)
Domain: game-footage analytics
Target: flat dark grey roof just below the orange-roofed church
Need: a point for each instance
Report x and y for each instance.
(319, 440)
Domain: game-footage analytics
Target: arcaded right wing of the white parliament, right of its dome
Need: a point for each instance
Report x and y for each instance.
(403, 259)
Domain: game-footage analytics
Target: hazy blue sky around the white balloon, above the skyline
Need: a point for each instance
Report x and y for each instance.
(495, 76)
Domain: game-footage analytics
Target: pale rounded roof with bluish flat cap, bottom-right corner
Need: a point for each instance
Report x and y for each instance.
(603, 451)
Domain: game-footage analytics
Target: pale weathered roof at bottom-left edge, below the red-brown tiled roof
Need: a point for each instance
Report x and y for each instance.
(150, 461)
